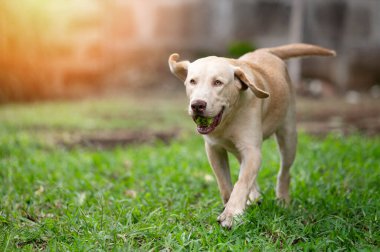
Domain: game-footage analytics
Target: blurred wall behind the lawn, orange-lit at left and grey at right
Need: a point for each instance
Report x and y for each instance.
(59, 47)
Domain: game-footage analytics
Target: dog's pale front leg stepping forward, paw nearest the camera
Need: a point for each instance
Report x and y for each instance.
(250, 164)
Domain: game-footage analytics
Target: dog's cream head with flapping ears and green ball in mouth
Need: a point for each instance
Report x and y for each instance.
(213, 86)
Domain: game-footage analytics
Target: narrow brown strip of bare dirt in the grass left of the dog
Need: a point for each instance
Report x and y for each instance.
(111, 139)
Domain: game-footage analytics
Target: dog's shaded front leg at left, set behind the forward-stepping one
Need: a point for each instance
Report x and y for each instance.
(218, 160)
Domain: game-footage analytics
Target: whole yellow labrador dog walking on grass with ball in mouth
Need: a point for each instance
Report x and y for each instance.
(236, 104)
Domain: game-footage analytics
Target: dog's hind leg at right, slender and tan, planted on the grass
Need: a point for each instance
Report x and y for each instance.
(286, 138)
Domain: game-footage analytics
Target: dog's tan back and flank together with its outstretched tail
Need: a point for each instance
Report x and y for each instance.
(269, 65)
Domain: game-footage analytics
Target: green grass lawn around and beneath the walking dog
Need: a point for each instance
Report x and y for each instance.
(158, 196)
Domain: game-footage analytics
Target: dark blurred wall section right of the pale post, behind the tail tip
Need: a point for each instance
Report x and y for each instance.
(352, 28)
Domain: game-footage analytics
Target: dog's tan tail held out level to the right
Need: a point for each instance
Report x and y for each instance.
(300, 50)
